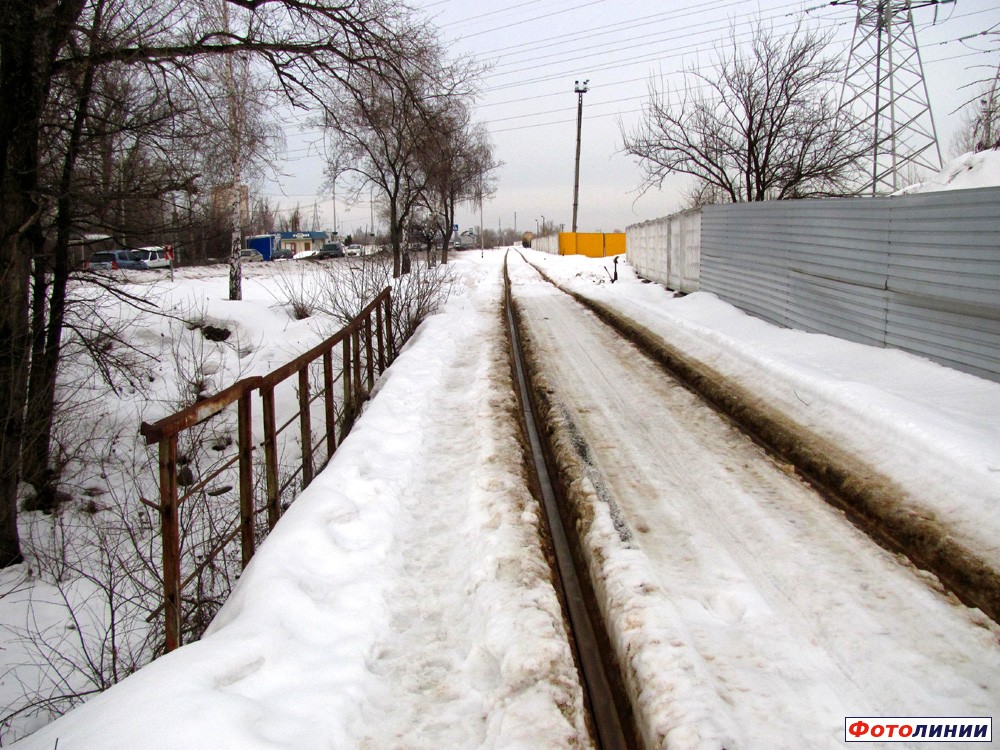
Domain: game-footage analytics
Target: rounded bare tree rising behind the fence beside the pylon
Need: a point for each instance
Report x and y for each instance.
(760, 124)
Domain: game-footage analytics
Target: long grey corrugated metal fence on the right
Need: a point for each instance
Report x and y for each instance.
(920, 272)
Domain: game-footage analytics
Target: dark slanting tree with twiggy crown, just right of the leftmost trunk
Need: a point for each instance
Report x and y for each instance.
(104, 164)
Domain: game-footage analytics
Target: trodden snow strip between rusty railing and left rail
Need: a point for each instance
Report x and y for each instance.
(403, 601)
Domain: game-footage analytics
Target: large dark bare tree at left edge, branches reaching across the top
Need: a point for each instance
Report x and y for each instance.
(307, 46)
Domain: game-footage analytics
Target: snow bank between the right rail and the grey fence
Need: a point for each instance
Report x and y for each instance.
(932, 430)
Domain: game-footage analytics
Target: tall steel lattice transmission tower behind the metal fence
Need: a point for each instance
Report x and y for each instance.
(884, 85)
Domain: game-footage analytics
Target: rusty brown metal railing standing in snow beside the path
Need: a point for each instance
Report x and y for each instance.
(366, 344)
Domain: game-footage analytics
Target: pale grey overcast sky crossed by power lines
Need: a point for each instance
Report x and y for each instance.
(536, 49)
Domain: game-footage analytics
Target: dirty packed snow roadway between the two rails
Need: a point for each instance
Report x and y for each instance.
(752, 613)
